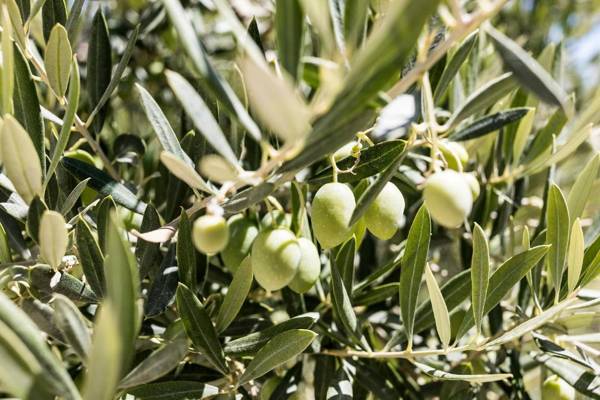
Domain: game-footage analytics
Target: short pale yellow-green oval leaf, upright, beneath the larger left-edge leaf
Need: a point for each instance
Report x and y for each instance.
(54, 238)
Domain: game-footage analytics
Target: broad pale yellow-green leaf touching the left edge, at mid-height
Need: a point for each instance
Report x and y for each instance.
(20, 159)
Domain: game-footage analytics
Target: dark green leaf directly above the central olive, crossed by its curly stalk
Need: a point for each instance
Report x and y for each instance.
(372, 161)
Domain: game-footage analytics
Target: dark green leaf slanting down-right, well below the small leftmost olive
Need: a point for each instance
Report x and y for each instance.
(199, 327)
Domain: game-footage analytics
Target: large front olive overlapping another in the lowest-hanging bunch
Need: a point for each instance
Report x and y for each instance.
(275, 258)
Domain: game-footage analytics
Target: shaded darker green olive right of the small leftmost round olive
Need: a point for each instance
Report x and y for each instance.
(242, 232)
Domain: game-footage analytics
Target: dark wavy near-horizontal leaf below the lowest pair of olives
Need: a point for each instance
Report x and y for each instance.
(251, 343)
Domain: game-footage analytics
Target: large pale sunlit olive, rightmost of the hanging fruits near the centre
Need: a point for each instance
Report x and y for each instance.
(448, 198)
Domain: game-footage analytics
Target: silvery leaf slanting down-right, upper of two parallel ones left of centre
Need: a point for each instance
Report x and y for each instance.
(200, 115)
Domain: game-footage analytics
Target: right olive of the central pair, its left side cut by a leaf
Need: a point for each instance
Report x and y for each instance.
(384, 215)
